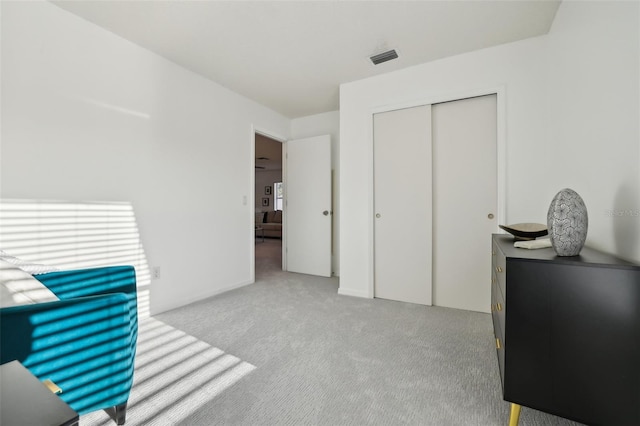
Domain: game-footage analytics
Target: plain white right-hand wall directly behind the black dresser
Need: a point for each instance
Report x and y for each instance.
(593, 105)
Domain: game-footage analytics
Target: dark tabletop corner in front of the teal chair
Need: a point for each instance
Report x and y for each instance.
(24, 400)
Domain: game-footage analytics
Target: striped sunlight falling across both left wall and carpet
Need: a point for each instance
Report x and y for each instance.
(175, 373)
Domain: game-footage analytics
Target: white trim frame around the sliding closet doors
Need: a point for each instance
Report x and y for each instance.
(500, 92)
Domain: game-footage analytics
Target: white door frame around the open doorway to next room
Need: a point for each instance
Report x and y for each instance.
(252, 189)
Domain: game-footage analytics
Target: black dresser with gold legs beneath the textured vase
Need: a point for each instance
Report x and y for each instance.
(567, 333)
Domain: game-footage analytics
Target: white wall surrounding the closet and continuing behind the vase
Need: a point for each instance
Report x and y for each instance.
(544, 124)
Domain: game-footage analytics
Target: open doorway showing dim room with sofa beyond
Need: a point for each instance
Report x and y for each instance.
(268, 196)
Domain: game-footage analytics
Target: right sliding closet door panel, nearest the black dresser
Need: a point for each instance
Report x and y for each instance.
(464, 200)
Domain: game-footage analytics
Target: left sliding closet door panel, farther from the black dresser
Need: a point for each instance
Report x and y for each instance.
(402, 205)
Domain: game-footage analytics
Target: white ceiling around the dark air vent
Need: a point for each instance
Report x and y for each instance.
(291, 56)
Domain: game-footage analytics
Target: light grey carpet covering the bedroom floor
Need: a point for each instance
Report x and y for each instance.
(294, 352)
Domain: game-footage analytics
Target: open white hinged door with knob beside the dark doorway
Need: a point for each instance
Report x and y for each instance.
(308, 206)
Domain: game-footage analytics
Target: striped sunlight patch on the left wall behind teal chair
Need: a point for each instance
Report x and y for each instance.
(76, 235)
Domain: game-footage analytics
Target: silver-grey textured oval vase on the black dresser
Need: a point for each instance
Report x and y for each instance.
(567, 222)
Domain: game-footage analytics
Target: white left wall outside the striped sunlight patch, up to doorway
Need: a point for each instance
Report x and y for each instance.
(87, 115)
